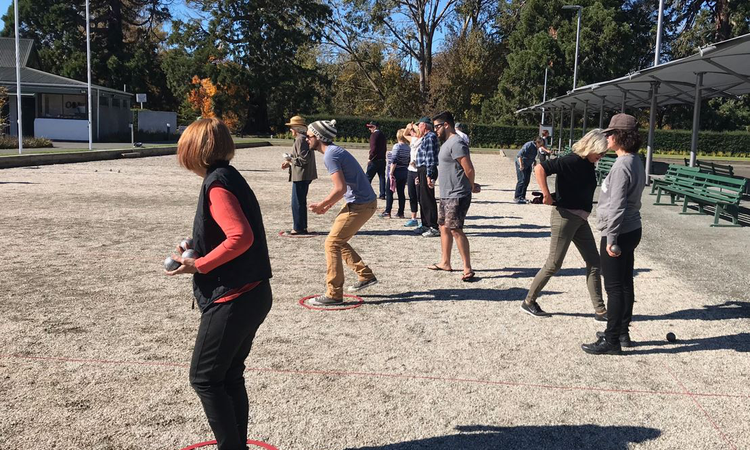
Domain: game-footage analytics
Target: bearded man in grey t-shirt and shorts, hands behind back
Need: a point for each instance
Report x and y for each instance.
(456, 178)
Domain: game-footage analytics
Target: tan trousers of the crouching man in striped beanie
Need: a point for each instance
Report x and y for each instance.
(349, 220)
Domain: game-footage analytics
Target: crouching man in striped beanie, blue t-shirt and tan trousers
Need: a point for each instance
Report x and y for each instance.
(351, 184)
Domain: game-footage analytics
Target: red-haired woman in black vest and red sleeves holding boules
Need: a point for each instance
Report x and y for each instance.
(230, 279)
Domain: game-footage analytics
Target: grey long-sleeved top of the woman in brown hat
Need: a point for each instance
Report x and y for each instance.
(619, 209)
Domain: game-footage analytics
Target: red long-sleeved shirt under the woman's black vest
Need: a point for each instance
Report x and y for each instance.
(227, 212)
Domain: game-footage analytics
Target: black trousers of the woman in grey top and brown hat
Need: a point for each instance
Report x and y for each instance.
(618, 282)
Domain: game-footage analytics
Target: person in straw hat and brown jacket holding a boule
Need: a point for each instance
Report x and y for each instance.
(302, 170)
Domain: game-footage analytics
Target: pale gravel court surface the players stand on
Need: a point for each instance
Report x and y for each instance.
(96, 341)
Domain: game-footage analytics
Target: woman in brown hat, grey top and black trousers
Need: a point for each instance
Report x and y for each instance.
(619, 221)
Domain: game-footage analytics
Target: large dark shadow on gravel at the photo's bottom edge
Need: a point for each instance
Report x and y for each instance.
(559, 437)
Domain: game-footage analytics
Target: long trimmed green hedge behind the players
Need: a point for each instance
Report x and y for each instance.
(675, 142)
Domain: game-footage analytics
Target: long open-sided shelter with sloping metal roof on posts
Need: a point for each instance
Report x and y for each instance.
(718, 70)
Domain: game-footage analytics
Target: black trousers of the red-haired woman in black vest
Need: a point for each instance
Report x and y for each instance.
(225, 336)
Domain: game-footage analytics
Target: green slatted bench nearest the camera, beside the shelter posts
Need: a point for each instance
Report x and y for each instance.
(723, 193)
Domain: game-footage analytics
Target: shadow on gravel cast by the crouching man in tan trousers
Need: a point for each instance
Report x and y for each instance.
(492, 295)
